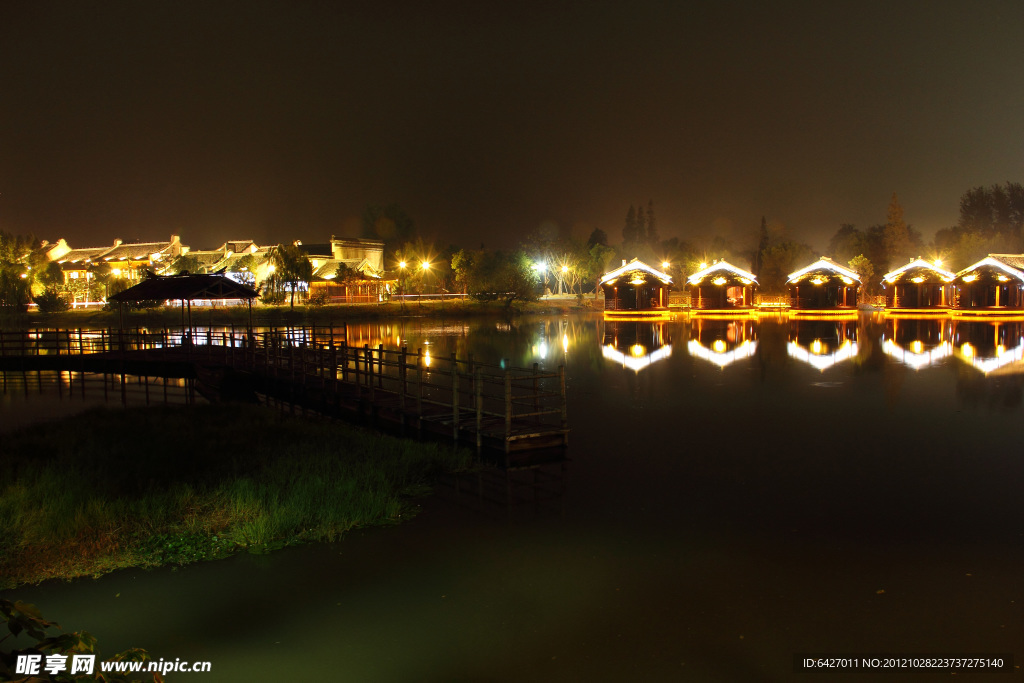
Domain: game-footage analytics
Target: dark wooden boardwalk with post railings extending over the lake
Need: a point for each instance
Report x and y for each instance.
(511, 408)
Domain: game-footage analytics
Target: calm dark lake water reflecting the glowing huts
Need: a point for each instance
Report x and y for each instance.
(740, 492)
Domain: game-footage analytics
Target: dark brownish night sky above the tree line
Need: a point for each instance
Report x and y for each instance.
(282, 120)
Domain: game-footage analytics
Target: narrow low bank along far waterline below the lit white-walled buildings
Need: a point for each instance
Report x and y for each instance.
(284, 316)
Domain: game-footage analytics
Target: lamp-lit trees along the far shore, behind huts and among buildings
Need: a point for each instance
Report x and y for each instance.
(992, 221)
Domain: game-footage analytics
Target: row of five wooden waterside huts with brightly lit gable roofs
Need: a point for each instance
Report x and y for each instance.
(995, 284)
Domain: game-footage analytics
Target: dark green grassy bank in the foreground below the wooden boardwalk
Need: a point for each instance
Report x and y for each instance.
(153, 487)
